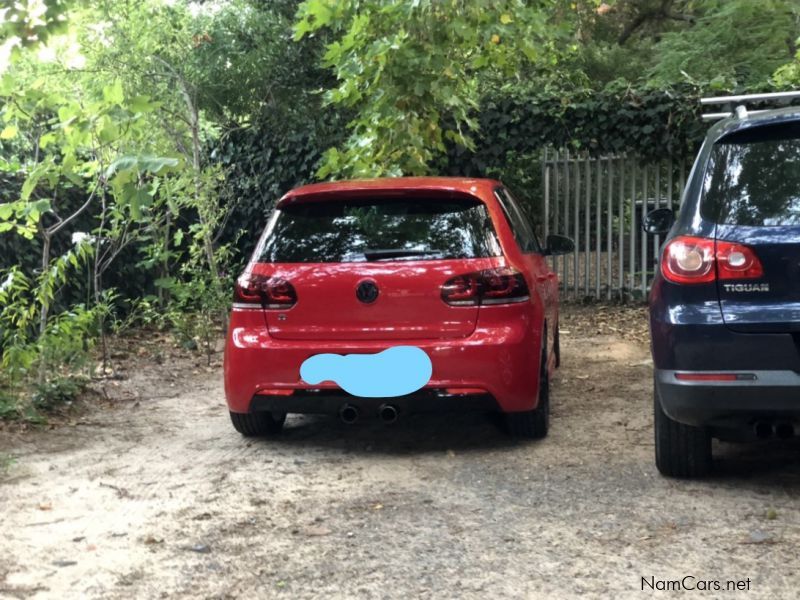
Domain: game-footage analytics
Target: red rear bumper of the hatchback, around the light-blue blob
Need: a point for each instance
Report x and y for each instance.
(501, 357)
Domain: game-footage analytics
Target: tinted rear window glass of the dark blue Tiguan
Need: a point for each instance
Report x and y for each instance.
(753, 178)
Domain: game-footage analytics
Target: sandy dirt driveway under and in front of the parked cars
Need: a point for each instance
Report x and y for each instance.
(157, 496)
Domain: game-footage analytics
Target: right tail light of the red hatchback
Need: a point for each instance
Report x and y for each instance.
(503, 285)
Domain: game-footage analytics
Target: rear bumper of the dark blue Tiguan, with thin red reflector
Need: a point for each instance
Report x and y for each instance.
(755, 394)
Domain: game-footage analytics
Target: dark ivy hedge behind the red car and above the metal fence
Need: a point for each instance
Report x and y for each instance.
(514, 129)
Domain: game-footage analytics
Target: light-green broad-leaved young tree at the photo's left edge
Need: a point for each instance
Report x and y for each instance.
(70, 139)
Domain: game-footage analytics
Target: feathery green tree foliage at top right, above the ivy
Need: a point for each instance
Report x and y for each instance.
(717, 43)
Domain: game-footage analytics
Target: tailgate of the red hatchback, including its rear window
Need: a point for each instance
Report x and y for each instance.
(369, 268)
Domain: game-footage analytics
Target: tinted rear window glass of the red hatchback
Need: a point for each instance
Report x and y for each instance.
(361, 230)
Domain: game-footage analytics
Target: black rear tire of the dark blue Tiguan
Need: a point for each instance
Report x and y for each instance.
(682, 451)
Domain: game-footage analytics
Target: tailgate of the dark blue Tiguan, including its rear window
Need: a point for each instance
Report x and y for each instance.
(752, 191)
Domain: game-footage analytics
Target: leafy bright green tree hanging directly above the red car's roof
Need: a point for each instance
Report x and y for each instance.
(412, 72)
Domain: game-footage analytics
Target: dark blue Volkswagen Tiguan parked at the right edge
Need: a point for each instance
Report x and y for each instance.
(725, 302)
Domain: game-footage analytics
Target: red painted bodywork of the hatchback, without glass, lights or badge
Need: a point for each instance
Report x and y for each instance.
(496, 348)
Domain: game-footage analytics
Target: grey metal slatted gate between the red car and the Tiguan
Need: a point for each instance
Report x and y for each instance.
(600, 202)
